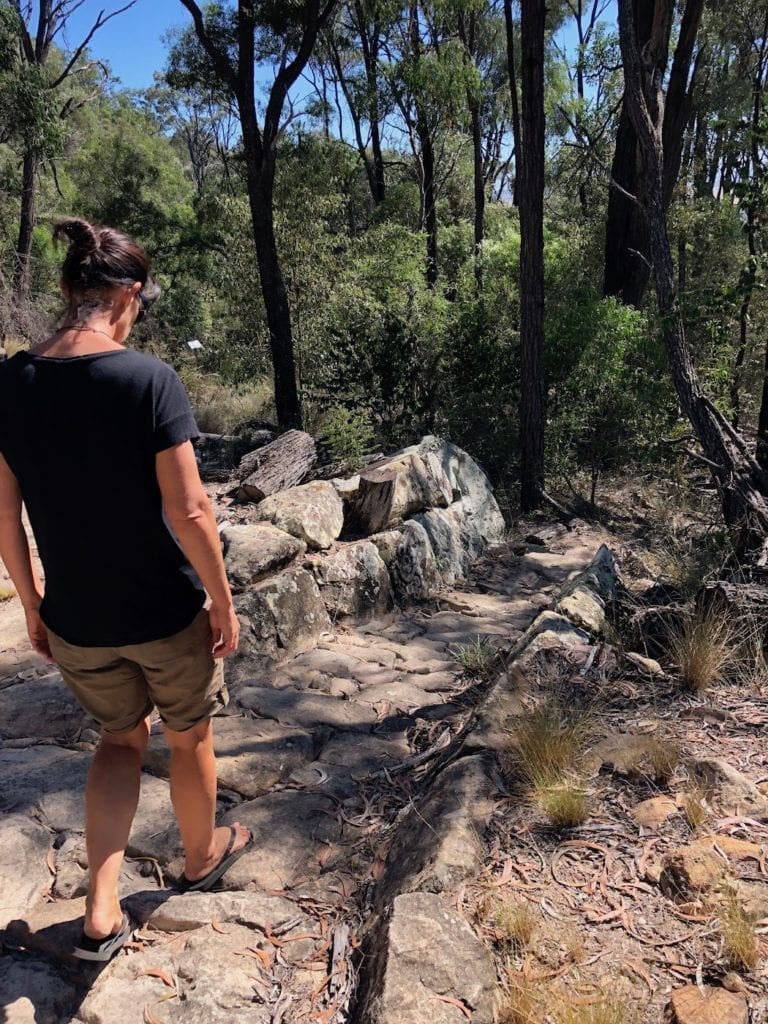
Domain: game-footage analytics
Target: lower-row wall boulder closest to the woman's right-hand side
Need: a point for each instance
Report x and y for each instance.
(281, 617)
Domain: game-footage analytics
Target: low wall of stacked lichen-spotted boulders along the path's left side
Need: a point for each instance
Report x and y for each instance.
(392, 536)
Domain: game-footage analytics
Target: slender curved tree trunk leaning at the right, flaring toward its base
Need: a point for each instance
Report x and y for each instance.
(742, 484)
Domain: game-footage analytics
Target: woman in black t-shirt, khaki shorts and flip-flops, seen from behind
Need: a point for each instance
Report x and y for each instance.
(96, 440)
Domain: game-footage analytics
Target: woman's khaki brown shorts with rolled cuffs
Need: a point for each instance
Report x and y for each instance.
(119, 687)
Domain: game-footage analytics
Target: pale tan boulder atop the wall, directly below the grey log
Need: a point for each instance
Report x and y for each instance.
(314, 513)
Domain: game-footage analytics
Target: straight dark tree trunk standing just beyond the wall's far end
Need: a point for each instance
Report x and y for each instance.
(532, 257)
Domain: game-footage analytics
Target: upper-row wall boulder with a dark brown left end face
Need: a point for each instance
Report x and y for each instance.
(395, 489)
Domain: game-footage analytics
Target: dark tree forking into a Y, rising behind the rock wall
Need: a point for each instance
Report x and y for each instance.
(233, 40)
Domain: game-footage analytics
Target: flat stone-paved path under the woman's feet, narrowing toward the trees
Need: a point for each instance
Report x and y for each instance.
(327, 758)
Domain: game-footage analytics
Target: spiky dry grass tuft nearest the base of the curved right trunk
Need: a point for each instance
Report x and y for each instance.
(704, 647)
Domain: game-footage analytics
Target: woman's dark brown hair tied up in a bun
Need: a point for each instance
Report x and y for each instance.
(103, 258)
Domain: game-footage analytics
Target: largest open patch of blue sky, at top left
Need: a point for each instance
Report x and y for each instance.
(132, 44)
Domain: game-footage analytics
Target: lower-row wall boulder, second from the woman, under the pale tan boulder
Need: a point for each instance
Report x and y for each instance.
(354, 582)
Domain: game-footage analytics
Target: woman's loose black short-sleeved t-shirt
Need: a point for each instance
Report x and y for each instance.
(80, 435)
